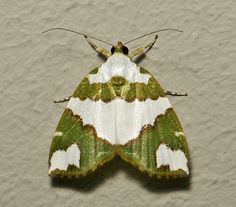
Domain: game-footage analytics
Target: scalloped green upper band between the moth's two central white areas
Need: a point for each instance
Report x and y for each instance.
(118, 86)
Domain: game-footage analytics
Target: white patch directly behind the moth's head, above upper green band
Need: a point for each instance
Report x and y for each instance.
(118, 64)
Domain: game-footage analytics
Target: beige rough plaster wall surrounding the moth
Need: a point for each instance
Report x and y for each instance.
(36, 67)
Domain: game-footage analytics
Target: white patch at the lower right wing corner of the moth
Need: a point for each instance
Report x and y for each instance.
(174, 159)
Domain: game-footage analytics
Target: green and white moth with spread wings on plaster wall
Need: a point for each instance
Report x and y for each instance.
(119, 109)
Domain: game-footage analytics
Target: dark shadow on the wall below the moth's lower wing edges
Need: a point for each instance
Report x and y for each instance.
(110, 169)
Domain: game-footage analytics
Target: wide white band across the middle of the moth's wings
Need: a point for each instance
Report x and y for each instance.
(118, 121)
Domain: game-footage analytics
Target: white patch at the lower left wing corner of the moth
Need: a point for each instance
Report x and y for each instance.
(61, 159)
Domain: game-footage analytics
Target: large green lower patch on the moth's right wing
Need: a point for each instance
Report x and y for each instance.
(141, 152)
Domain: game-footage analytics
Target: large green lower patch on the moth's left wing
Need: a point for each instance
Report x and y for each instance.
(94, 151)
